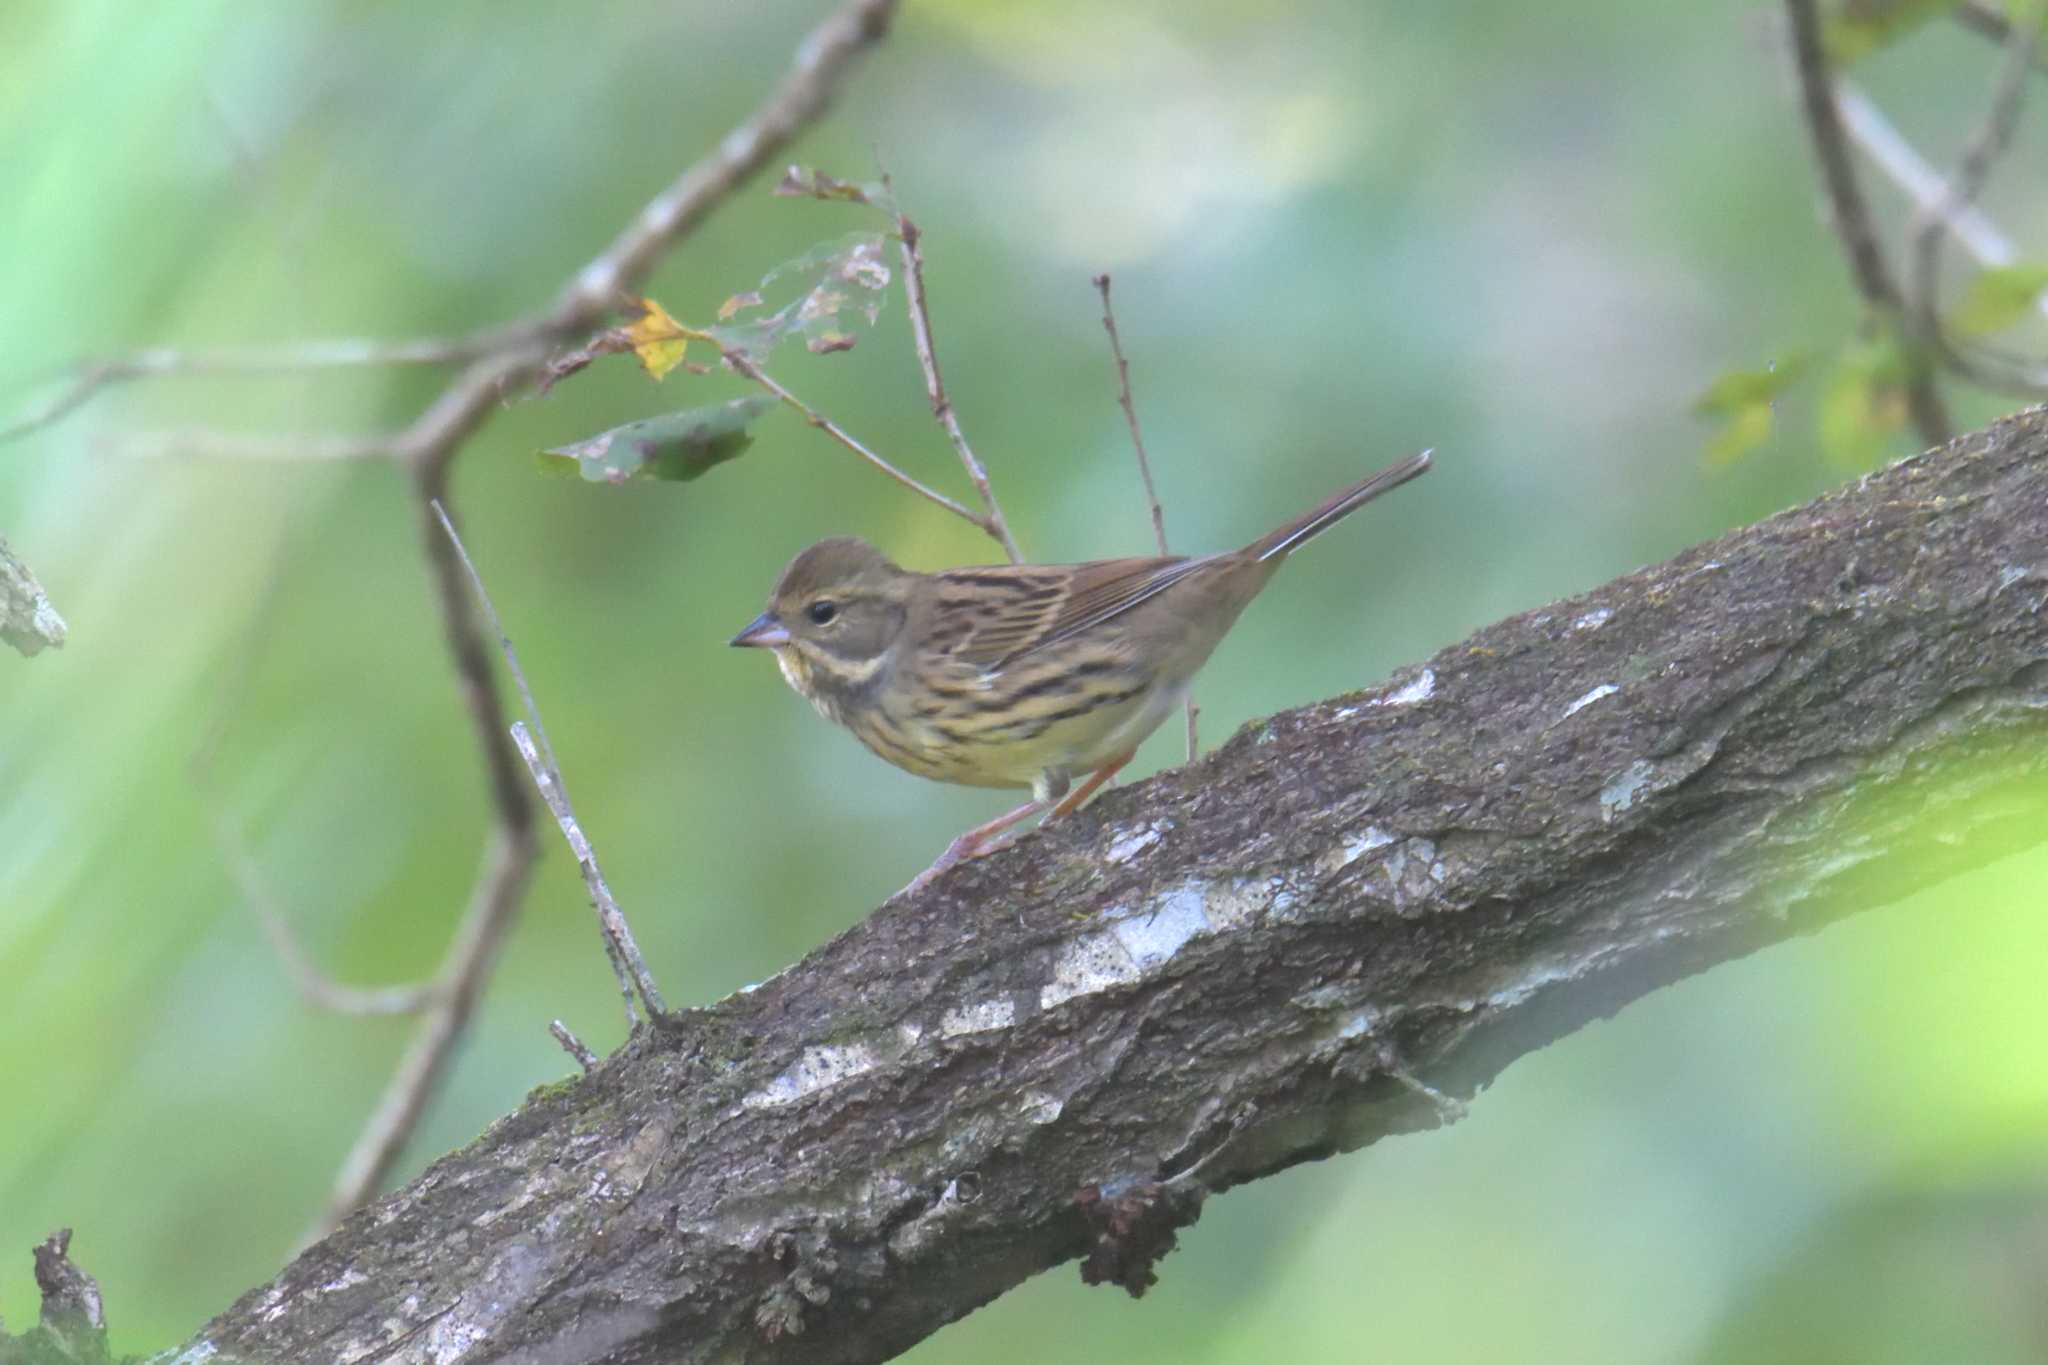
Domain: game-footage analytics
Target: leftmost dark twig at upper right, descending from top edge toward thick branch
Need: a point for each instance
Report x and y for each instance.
(1852, 216)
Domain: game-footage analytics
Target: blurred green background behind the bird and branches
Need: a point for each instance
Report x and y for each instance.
(1523, 234)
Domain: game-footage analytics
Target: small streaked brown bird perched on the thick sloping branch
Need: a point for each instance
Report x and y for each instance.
(1021, 676)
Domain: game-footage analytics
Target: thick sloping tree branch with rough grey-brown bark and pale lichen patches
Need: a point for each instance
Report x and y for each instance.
(1271, 957)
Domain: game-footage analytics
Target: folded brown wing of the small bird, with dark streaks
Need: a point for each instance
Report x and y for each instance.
(994, 617)
